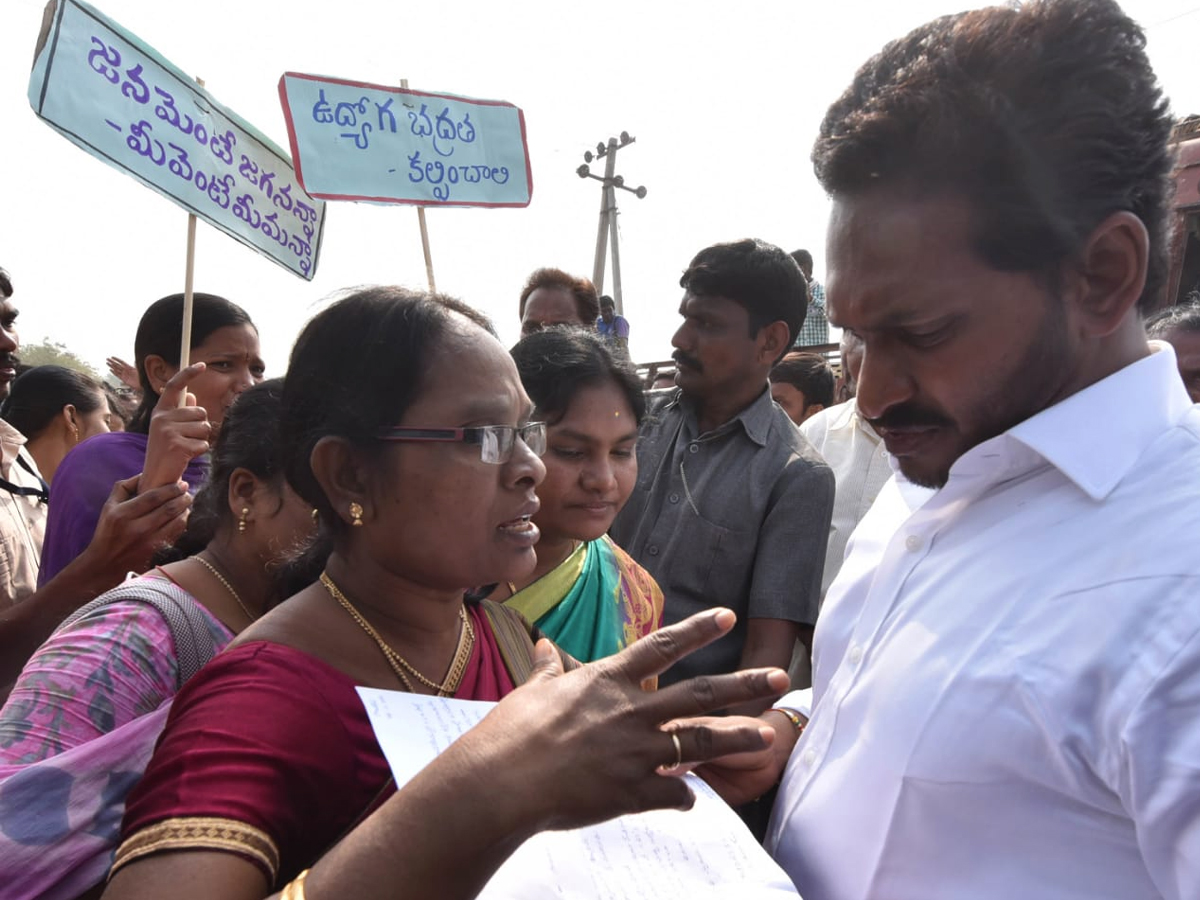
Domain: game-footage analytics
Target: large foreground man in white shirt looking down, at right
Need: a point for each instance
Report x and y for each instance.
(1006, 697)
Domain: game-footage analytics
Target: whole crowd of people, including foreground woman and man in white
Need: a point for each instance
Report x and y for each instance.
(928, 621)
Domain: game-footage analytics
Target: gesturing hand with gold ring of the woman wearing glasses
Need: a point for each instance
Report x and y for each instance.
(591, 745)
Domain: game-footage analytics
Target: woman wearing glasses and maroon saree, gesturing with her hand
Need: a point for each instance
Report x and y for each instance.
(411, 435)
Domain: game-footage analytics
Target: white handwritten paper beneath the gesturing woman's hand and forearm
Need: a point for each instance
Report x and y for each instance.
(705, 854)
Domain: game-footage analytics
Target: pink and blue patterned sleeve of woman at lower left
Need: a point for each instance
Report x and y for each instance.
(110, 668)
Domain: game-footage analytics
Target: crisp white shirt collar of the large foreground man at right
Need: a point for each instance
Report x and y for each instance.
(1096, 436)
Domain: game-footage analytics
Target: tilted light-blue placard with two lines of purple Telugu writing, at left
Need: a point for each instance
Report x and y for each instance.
(118, 99)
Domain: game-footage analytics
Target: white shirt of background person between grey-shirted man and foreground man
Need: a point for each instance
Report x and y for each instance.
(861, 466)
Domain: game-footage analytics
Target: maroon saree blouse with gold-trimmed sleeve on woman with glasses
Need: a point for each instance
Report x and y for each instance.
(269, 754)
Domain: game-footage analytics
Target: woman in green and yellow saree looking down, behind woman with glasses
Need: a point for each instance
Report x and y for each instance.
(586, 593)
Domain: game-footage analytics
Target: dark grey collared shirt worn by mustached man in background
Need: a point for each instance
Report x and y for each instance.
(736, 518)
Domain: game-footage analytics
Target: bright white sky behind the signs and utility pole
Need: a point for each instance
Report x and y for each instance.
(724, 100)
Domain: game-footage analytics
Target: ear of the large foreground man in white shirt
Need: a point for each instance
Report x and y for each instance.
(1109, 275)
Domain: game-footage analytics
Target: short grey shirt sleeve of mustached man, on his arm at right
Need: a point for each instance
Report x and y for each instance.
(793, 543)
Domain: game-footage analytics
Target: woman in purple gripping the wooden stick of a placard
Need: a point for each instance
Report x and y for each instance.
(226, 341)
